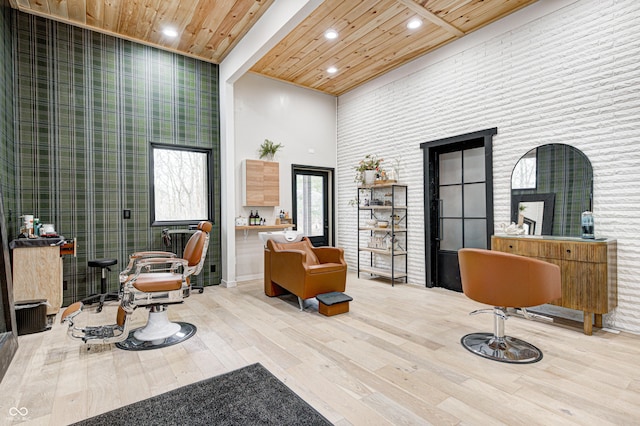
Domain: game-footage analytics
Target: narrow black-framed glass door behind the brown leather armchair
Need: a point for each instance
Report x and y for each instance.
(313, 203)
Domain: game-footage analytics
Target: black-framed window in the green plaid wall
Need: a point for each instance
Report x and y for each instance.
(180, 185)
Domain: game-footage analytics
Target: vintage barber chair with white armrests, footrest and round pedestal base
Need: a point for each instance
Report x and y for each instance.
(155, 280)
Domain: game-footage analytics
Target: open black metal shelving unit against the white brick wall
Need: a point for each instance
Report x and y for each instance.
(384, 248)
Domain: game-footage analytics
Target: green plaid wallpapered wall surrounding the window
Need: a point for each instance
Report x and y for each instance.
(87, 107)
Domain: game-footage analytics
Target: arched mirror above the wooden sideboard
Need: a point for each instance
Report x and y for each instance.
(551, 186)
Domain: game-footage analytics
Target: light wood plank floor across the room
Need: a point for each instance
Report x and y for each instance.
(395, 358)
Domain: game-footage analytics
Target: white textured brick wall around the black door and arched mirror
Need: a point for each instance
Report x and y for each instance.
(572, 77)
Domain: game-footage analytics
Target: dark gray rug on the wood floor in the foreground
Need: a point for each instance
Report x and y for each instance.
(248, 396)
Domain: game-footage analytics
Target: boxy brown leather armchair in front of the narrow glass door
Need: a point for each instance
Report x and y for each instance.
(303, 270)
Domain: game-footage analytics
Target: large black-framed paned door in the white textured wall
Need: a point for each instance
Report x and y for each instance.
(458, 185)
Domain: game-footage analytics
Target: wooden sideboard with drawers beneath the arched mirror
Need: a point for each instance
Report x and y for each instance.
(588, 269)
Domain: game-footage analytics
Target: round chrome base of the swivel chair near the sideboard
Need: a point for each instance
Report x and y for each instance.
(503, 349)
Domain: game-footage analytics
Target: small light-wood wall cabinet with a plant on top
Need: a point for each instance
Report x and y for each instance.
(260, 183)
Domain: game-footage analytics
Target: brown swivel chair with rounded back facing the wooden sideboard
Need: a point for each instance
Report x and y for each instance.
(505, 280)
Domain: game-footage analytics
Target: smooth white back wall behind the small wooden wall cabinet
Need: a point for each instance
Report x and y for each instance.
(303, 120)
